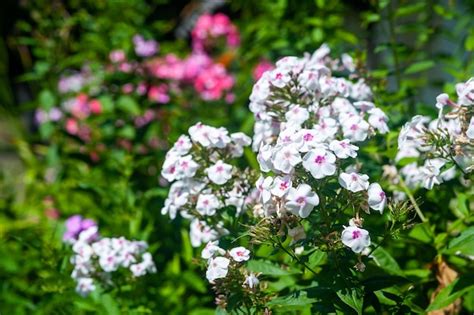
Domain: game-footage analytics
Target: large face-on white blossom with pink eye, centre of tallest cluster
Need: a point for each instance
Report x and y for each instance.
(320, 163)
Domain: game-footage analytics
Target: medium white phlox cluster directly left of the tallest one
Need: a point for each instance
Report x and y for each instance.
(203, 180)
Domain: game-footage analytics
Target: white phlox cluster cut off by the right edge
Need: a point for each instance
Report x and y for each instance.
(454, 132)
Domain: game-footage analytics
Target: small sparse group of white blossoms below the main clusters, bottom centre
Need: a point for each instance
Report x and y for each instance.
(219, 261)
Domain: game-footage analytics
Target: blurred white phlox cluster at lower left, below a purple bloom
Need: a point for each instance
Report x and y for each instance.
(95, 260)
